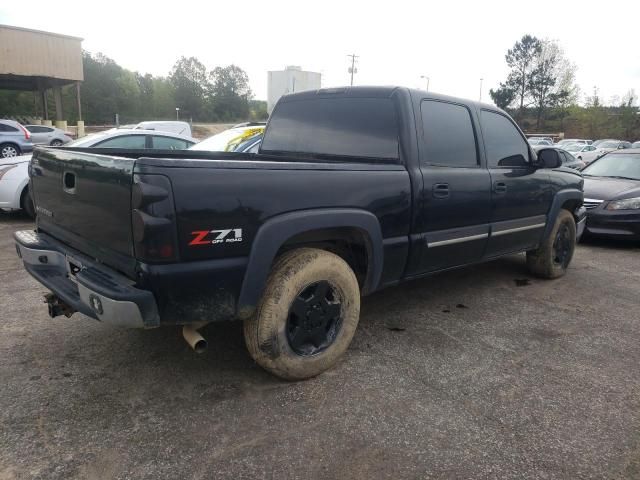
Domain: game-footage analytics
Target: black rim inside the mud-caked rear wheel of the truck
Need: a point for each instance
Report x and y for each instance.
(314, 319)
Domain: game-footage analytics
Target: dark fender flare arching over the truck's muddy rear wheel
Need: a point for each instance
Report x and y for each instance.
(277, 230)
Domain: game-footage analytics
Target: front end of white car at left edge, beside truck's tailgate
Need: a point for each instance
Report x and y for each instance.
(14, 184)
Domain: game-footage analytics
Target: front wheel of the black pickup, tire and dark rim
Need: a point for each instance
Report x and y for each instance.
(553, 256)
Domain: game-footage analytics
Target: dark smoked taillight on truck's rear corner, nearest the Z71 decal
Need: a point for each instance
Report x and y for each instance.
(153, 219)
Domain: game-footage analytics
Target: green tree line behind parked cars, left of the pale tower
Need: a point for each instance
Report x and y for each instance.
(219, 95)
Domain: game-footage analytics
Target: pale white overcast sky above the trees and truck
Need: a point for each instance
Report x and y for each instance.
(454, 43)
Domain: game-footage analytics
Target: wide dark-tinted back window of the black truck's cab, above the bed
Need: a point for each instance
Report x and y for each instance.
(344, 126)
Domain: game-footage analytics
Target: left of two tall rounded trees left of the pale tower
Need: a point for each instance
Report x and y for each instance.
(189, 79)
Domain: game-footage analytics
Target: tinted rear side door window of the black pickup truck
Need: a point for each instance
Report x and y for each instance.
(449, 138)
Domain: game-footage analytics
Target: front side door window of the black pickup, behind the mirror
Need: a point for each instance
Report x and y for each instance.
(504, 145)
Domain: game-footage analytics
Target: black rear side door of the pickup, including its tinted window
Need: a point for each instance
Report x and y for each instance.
(455, 209)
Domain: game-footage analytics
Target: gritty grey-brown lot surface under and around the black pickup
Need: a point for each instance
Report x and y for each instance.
(478, 373)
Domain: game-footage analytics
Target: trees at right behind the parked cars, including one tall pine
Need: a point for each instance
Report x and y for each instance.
(541, 93)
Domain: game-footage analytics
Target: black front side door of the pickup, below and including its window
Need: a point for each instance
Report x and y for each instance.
(520, 193)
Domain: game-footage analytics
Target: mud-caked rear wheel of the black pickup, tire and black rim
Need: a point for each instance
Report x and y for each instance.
(307, 316)
